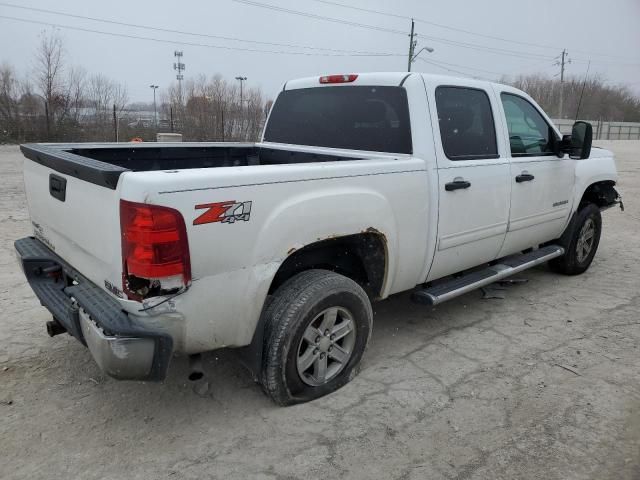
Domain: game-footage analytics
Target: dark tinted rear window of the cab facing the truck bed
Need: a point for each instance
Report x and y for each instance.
(355, 117)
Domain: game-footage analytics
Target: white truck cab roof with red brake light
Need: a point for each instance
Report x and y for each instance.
(381, 78)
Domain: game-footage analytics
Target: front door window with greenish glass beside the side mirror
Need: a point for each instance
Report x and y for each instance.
(529, 133)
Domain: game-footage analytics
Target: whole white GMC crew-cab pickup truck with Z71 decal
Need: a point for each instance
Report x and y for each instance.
(363, 185)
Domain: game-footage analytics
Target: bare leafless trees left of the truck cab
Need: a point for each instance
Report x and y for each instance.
(59, 102)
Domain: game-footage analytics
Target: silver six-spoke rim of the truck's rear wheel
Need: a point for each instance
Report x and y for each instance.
(326, 346)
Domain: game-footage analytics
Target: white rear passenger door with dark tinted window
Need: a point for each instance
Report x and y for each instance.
(473, 178)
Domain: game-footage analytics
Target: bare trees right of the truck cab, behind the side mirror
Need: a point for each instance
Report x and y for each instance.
(600, 101)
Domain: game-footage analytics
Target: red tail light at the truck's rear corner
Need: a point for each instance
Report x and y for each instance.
(154, 243)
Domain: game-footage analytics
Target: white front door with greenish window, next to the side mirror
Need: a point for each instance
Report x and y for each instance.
(541, 183)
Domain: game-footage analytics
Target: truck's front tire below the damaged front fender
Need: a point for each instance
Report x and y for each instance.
(573, 262)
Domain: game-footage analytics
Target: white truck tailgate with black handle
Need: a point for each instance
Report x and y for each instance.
(76, 218)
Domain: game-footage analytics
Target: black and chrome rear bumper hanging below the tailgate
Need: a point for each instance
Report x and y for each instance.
(121, 347)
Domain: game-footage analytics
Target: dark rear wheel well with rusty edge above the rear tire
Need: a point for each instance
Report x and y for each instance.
(361, 257)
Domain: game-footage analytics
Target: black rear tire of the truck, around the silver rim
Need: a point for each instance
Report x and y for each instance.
(296, 307)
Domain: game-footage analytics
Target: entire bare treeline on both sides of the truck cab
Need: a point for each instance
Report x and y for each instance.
(60, 102)
